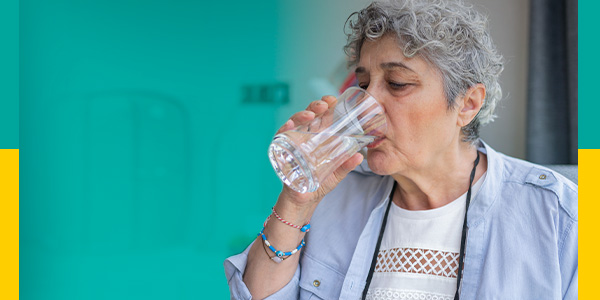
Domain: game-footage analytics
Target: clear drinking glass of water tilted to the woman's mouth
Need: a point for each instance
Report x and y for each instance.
(304, 156)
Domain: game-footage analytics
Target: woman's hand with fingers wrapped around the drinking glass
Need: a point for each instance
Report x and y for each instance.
(308, 201)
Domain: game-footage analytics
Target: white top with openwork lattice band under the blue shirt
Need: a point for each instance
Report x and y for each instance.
(418, 256)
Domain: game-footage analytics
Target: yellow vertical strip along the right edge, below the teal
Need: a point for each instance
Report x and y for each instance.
(589, 242)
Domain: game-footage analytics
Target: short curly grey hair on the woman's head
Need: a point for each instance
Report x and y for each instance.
(450, 35)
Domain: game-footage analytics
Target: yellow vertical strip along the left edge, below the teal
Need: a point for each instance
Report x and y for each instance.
(9, 223)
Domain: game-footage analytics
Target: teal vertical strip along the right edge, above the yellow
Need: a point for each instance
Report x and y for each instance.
(589, 101)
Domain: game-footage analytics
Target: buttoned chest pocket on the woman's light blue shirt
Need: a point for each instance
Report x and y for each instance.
(319, 279)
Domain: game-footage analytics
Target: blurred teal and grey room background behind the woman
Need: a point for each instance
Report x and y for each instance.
(144, 127)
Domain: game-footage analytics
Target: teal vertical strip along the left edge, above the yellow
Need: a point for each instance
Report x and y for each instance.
(9, 74)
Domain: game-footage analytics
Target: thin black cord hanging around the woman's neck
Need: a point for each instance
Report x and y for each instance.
(463, 238)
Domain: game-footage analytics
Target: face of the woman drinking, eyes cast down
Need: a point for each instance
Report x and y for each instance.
(421, 130)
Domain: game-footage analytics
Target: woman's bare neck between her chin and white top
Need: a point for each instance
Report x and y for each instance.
(440, 181)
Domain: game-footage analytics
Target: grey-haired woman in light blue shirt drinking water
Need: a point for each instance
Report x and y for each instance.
(437, 213)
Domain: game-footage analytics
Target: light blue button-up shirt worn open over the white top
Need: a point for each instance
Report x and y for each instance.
(521, 240)
